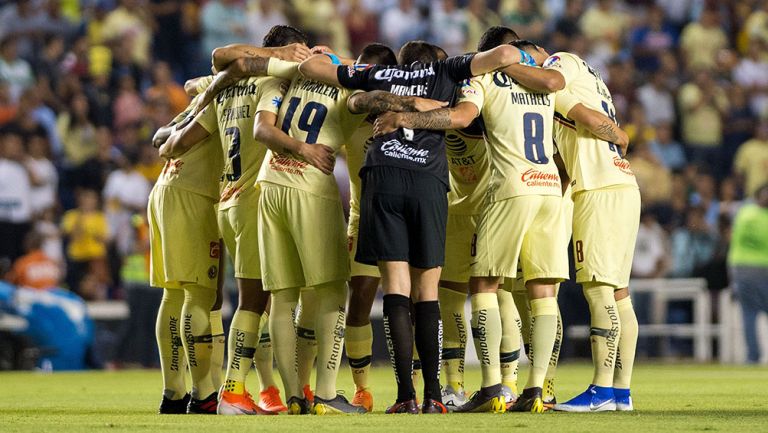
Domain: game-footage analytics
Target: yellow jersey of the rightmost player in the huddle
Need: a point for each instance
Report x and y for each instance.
(591, 162)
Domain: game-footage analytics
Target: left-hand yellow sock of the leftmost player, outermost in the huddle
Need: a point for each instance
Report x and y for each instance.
(168, 331)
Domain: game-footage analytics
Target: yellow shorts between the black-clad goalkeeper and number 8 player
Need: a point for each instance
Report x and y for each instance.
(460, 240)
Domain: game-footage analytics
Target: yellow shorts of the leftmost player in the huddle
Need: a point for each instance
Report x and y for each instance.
(184, 239)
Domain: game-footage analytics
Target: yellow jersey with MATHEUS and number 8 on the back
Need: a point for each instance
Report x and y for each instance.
(518, 125)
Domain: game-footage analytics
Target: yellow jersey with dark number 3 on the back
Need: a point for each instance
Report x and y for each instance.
(232, 115)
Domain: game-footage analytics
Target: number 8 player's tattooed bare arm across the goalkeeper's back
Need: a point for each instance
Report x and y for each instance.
(457, 117)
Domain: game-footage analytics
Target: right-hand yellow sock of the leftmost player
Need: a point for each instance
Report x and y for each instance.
(198, 340)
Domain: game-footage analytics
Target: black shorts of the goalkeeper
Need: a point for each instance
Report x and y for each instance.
(403, 215)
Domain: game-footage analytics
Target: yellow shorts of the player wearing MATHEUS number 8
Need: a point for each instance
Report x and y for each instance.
(529, 229)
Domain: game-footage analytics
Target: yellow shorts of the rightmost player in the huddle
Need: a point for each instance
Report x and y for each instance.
(605, 224)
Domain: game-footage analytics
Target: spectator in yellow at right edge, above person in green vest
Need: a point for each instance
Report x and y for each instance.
(751, 162)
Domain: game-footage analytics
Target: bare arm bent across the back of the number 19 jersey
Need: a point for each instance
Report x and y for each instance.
(265, 131)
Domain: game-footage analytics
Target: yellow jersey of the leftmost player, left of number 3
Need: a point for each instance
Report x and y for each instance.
(199, 169)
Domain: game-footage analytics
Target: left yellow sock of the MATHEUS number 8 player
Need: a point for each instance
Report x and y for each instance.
(486, 333)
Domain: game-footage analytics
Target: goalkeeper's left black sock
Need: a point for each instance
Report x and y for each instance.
(397, 328)
